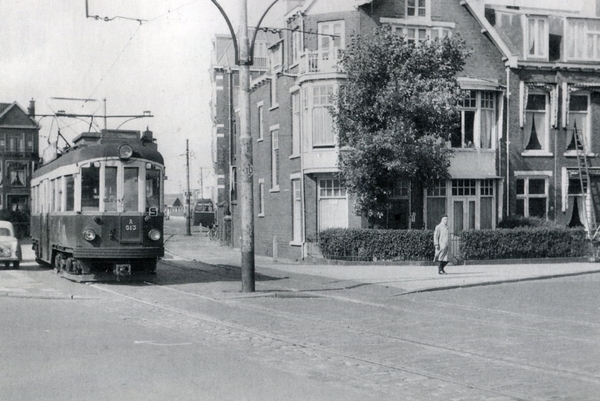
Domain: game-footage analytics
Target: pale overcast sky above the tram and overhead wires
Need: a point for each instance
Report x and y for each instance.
(49, 49)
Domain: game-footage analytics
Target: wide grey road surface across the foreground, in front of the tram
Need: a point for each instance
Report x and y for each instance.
(173, 339)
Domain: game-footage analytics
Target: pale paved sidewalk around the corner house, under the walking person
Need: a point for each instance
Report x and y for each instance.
(402, 279)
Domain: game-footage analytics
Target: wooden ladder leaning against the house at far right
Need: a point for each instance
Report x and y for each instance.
(586, 185)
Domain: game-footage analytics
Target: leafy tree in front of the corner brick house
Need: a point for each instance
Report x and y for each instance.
(395, 113)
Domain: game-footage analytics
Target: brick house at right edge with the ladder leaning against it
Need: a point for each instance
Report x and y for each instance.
(553, 73)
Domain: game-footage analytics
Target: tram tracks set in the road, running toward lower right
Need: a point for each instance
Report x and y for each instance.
(345, 357)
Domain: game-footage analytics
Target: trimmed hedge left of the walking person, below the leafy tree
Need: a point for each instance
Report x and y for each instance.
(370, 244)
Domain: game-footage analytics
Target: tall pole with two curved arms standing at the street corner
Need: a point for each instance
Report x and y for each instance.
(244, 58)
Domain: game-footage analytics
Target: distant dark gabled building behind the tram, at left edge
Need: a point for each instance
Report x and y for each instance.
(19, 144)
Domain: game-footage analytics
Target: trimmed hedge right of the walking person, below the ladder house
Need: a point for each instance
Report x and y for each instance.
(523, 243)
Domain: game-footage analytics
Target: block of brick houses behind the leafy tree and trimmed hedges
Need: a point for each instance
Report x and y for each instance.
(526, 89)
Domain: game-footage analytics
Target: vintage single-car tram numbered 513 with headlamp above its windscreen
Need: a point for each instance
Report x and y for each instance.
(97, 208)
